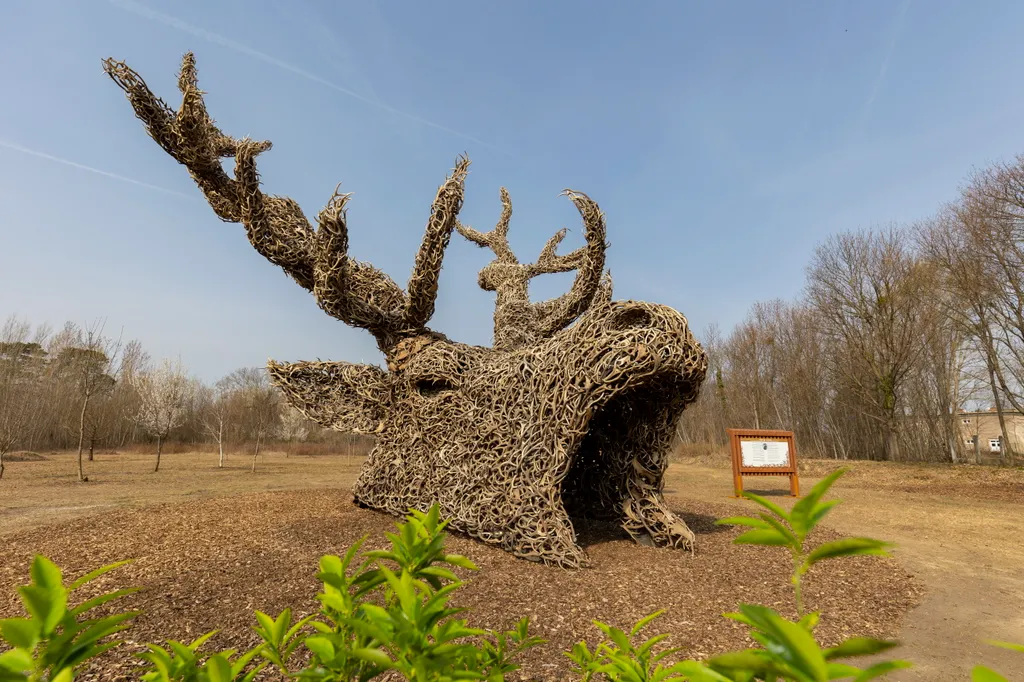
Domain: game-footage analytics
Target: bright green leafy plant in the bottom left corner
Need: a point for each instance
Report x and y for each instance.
(55, 641)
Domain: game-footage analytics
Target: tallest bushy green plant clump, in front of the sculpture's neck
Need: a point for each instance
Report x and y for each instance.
(412, 629)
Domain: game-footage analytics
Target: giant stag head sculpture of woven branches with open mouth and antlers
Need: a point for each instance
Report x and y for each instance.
(571, 414)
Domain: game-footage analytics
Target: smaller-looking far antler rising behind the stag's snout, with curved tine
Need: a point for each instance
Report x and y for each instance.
(518, 322)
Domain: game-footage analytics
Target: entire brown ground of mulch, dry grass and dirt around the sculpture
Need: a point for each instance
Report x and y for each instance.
(211, 545)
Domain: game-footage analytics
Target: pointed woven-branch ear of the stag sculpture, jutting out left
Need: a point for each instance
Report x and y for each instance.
(343, 397)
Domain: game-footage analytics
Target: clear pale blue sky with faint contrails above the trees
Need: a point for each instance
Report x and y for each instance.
(723, 141)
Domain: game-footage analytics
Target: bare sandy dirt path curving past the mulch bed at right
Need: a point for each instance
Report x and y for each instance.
(969, 552)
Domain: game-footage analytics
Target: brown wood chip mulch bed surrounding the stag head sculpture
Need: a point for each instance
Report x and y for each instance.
(207, 565)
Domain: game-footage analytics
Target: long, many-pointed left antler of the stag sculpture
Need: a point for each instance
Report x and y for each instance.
(355, 292)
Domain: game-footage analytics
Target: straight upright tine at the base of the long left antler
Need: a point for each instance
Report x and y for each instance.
(426, 272)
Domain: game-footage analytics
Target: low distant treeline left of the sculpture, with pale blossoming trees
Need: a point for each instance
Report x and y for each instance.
(80, 389)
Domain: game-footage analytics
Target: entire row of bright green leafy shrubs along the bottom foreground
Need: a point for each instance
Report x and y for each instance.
(391, 613)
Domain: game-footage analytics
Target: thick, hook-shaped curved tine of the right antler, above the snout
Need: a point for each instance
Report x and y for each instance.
(561, 313)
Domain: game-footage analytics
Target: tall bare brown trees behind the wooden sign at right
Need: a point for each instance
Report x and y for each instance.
(898, 331)
